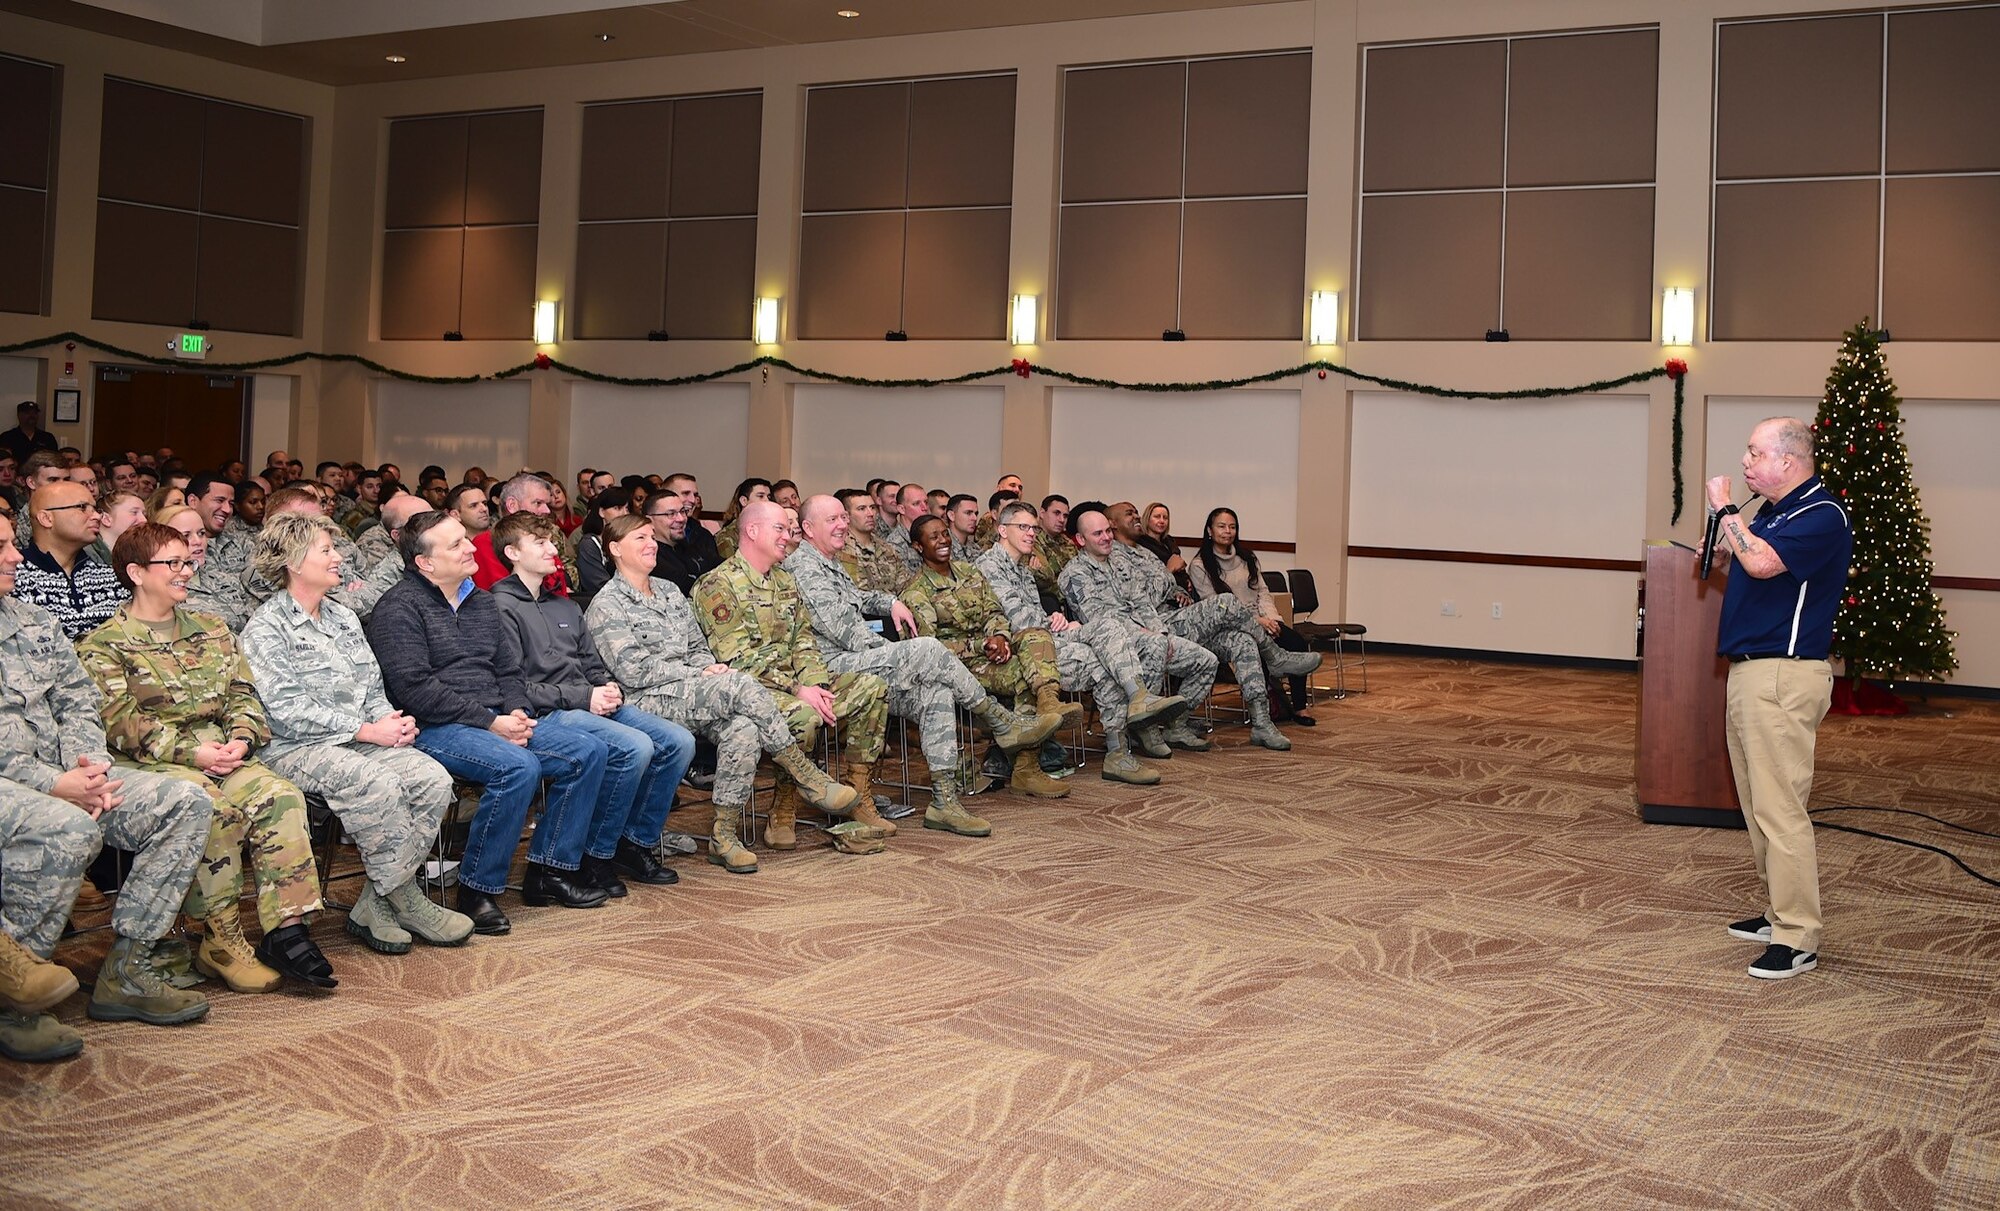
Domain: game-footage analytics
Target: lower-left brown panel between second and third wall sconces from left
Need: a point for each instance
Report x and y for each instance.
(849, 277)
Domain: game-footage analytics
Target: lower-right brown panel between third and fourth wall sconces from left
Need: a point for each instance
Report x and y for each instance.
(1243, 271)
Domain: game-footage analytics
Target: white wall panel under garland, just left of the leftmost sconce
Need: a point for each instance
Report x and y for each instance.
(453, 425)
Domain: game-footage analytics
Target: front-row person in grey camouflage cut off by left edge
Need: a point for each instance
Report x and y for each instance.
(61, 802)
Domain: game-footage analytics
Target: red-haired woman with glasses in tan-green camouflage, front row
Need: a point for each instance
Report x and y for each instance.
(179, 702)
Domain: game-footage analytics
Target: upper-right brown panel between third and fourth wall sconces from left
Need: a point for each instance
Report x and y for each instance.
(1249, 125)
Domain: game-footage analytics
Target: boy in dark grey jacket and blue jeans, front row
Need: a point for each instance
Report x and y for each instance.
(571, 688)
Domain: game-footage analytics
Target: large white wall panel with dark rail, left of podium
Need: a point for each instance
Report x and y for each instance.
(1451, 475)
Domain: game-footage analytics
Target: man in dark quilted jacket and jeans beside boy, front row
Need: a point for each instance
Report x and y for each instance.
(447, 664)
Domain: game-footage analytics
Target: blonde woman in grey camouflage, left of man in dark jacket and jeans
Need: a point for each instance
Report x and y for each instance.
(335, 734)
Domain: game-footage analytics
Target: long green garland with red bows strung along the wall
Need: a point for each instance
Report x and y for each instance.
(1675, 369)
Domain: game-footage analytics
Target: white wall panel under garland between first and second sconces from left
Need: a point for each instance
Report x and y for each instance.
(701, 429)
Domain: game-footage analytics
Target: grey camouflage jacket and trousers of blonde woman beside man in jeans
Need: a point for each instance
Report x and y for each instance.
(321, 684)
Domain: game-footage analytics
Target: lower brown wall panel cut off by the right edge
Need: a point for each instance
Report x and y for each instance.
(1941, 259)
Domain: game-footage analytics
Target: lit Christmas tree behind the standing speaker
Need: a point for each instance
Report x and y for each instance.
(1891, 622)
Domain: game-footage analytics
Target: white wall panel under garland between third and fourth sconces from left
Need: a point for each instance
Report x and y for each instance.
(1193, 453)
